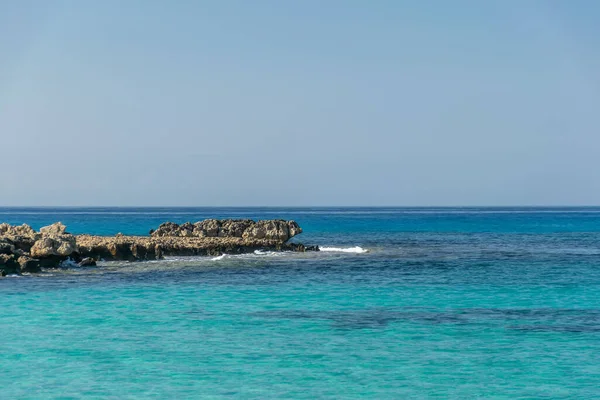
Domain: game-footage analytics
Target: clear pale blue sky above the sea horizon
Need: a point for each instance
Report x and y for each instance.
(299, 103)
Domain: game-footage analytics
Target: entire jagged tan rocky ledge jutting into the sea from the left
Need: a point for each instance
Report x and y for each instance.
(22, 249)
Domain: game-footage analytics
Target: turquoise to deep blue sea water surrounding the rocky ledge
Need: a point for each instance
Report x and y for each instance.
(449, 303)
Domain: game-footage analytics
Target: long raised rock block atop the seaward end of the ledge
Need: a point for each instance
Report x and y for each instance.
(279, 230)
